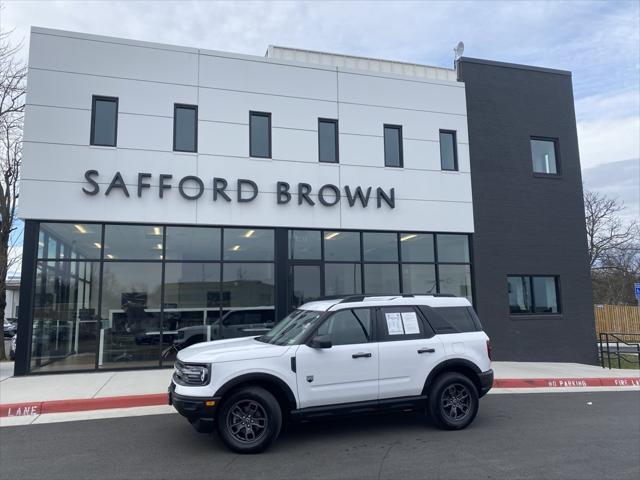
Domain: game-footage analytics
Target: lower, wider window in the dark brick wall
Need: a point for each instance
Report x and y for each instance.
(533, 294)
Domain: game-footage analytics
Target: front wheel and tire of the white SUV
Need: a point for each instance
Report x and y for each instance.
(250, 420)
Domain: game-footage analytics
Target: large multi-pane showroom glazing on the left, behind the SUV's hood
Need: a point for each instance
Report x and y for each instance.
(161, 290)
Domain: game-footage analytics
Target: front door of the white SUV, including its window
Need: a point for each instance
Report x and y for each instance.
(348, 370)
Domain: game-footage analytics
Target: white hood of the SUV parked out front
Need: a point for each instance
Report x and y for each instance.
(244, 348)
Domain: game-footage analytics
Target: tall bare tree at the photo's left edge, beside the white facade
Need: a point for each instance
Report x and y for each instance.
(13, 74)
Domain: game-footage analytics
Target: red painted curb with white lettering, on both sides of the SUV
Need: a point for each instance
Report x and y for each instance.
(128, 401)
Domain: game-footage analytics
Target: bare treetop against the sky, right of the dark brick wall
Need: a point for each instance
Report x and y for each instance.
(607, 232)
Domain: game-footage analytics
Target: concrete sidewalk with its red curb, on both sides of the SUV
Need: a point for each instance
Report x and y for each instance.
(39, 394)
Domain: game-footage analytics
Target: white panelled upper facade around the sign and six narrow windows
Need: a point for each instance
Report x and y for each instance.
(149, 78)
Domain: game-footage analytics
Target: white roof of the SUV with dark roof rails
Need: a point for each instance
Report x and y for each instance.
(333, 304)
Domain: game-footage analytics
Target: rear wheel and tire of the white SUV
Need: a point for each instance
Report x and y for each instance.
(452, 402)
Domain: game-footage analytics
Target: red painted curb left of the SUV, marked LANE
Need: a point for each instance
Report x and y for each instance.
(80, 405)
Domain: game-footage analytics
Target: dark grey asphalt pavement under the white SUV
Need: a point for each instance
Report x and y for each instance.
(543, 435)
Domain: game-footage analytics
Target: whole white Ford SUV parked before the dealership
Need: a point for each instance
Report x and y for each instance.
(340, 356)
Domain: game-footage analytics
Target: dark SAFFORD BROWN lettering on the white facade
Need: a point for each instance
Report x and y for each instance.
(192, 187)
